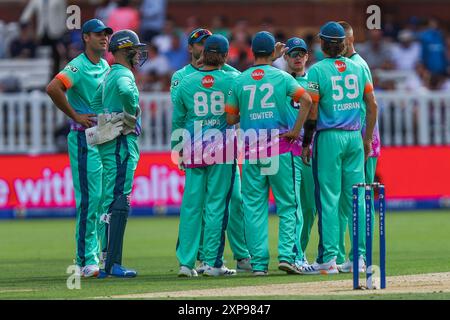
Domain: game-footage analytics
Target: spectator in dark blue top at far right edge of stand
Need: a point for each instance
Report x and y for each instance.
(433, 48)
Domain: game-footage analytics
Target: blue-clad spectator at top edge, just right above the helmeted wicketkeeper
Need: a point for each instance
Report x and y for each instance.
(153, 17)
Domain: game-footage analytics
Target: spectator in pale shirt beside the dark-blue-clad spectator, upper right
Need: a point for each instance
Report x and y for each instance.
(406, 53)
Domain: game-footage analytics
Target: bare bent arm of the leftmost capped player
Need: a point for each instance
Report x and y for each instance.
(56, 91)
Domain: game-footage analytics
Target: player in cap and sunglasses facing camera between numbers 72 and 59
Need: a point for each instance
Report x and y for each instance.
(296, 58)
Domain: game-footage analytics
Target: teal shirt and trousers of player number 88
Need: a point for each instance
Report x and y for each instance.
(199, 108)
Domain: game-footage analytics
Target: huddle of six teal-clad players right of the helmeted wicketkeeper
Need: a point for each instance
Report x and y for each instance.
(270, 124)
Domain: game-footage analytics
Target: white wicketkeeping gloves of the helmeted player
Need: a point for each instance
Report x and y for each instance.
(108, 128)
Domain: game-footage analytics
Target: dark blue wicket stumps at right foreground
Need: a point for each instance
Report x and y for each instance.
(368, 187)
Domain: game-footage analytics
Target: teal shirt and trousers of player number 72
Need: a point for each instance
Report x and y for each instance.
(259, 97)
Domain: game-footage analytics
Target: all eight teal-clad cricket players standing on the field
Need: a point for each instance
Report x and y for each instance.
(264, 121)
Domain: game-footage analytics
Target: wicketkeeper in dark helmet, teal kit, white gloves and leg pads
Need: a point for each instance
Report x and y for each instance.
(118, 98)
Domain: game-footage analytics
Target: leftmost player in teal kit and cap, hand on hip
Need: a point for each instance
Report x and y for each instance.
(79, 80)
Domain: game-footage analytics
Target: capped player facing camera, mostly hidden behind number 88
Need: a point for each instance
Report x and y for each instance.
(235, 230)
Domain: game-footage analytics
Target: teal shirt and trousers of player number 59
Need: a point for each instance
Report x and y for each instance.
(338, 86)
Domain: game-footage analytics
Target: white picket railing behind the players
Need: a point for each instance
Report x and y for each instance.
(28, 121)
